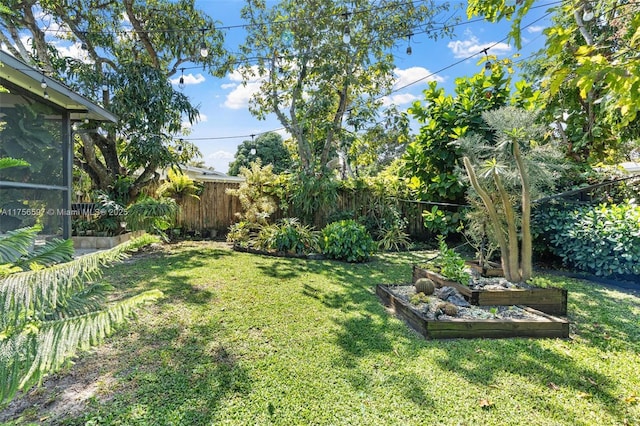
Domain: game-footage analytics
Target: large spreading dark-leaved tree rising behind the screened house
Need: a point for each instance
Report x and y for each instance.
(133, 59)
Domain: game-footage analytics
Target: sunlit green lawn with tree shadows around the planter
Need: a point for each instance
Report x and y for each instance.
(244, 339)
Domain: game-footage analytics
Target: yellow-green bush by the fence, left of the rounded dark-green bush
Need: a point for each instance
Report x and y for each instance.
(289, 236)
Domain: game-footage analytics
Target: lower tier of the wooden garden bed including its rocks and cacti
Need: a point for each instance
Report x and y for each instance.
(433, 317)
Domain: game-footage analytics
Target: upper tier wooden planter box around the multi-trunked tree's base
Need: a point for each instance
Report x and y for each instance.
(552, 301)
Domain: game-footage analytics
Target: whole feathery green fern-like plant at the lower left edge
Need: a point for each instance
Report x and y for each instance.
(48, 310)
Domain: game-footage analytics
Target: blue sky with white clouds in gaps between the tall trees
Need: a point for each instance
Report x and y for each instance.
(226, 121)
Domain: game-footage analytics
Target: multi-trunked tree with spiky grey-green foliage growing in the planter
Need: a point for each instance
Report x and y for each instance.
(505, 171)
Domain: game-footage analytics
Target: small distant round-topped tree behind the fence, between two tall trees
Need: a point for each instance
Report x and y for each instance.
(268, 147)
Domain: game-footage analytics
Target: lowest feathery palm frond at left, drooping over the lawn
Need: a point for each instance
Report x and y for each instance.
(27, 357)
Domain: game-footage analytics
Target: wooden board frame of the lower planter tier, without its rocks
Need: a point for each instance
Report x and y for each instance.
(543, 326)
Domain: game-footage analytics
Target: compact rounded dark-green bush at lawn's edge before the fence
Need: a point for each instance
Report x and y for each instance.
(347, 240)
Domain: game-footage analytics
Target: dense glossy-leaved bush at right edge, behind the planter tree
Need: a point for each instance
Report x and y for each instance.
(603, 240)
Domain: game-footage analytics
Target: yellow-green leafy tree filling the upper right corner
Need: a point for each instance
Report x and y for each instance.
(589, 72)
